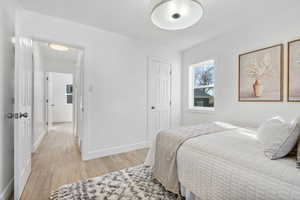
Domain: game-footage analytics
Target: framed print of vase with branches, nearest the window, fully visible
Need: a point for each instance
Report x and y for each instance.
(261, 75)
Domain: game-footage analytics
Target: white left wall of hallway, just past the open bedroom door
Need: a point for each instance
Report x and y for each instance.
(38, 122)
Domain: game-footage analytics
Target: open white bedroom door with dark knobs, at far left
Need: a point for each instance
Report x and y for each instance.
(22, 110)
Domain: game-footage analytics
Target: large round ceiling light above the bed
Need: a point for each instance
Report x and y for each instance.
(175, 14)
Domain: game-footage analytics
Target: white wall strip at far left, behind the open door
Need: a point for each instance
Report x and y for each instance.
(7, 10)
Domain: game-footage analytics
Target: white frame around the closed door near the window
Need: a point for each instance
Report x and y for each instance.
(149, 59)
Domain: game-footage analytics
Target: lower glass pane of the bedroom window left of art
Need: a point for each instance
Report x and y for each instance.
(204, 97)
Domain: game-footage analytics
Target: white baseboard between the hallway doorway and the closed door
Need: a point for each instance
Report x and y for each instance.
(115, 150)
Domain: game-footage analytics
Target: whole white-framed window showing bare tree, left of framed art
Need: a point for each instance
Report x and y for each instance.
(202, 85)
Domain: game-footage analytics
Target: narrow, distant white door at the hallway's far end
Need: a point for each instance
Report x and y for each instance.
(49, 101)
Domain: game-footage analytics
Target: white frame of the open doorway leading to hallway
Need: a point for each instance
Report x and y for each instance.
(82, 124)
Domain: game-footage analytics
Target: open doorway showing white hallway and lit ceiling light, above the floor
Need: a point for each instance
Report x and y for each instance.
(57, 82)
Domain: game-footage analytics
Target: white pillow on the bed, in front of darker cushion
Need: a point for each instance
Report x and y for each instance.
(278, 137)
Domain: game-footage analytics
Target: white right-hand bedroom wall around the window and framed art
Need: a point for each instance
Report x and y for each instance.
(225, 50)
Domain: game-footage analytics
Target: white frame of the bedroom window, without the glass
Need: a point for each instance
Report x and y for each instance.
(191, 79)
